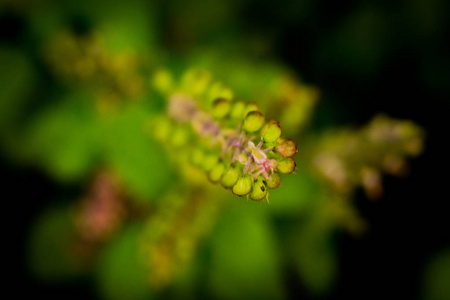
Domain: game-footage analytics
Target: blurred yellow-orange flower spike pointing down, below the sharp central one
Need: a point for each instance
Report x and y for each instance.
(174, 232)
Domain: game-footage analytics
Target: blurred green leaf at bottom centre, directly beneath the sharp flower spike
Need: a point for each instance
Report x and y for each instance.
(244, 258)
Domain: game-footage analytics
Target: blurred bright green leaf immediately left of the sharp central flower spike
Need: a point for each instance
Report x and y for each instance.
(138, 160)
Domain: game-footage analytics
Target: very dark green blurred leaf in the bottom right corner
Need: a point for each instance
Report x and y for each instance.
(436, 277)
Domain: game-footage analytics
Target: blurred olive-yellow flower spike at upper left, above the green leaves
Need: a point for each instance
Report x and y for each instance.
(83, 60)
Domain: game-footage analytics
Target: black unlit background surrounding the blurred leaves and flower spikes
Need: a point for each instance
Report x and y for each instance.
(396, 62)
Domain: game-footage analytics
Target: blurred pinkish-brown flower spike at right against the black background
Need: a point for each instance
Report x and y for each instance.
(350, 158)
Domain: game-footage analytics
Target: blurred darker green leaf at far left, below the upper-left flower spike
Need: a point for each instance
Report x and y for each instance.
(64, 138)
